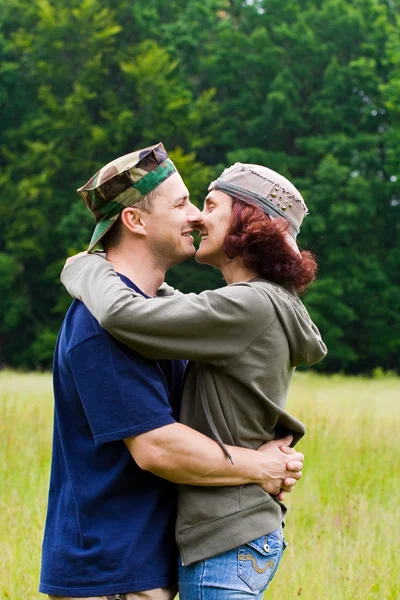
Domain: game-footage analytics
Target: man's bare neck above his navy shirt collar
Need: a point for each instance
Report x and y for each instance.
(139, 267)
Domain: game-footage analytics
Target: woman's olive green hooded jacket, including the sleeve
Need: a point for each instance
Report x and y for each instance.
(246, 338)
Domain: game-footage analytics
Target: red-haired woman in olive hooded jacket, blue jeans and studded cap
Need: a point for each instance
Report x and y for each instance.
(246, 339)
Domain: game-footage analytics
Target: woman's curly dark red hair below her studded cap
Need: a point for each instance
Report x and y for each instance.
(260, 242)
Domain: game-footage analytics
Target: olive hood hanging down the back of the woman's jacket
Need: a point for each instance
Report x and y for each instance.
(305, 342)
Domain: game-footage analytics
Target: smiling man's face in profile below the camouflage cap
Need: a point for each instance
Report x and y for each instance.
(171, 222)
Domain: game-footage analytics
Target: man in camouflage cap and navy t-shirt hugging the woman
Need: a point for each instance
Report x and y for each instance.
(110, 522)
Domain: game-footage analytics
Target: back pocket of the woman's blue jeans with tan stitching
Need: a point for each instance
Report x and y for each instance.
(259, 559)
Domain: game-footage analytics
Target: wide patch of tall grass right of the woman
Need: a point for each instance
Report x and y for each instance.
(343, 524)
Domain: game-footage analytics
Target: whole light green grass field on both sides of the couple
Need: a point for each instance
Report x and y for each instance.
(343, 524)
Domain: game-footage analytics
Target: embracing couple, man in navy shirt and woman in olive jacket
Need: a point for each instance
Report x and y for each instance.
(155, 388)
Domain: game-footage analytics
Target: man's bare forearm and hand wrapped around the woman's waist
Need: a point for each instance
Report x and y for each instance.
(183, 455)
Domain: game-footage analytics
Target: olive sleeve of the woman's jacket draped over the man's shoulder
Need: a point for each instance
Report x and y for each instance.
(214, 326)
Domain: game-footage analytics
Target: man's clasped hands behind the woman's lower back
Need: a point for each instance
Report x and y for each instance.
(283, 467)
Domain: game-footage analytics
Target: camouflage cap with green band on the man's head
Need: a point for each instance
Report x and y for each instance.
(122, 183)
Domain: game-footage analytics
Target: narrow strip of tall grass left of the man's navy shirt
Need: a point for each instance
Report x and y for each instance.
(25, 448)
